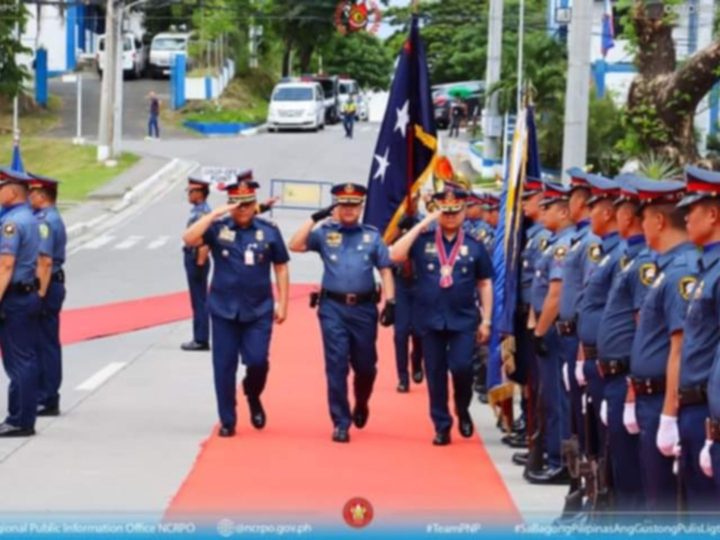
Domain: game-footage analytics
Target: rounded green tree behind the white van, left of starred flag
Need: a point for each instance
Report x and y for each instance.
(361, 56)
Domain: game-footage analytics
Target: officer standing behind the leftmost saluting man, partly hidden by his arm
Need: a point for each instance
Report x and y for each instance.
(197, 266)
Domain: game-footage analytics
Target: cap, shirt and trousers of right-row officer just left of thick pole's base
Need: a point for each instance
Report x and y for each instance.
(550, 268)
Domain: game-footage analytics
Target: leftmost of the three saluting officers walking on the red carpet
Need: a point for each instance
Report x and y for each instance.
(244, 248)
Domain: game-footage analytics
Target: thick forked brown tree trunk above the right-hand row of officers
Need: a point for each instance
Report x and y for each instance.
(664, 95)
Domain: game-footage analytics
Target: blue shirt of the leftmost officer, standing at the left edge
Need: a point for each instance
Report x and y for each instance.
(21, 239)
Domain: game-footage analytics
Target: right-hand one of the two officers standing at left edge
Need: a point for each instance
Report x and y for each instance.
(53, 239)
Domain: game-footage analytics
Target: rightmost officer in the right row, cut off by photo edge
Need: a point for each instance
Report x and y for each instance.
(700, 341)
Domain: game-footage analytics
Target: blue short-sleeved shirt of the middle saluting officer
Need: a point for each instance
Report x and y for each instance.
(349, 255)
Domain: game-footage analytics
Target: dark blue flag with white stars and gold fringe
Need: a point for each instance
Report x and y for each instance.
(406, 146)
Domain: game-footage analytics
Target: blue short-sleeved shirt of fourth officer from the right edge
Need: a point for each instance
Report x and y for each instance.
(596, 291)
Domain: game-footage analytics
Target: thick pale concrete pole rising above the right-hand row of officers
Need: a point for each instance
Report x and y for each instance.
(577, 90)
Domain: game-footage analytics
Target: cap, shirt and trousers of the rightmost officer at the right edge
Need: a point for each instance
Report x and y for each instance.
(700, 345)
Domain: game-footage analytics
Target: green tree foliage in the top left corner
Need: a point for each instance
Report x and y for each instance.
(12, 75)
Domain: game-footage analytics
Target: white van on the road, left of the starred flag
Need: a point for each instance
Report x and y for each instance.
(297, 105)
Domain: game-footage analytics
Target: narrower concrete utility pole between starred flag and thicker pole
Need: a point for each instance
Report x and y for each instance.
(492, 119)
